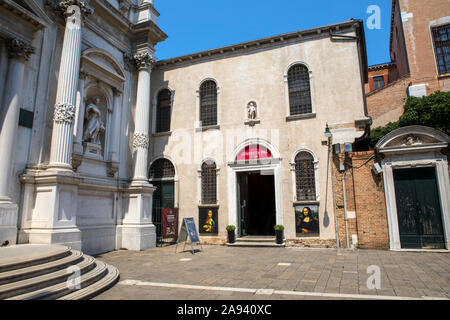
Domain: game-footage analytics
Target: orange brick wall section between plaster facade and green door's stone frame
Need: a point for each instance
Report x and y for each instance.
(364, 200)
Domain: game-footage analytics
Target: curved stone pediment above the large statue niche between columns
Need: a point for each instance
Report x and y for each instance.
(101, 65)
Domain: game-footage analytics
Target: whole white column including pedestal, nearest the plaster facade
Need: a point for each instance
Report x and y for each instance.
(137, 231)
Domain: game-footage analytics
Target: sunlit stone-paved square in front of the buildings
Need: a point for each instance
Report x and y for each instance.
(220, 272)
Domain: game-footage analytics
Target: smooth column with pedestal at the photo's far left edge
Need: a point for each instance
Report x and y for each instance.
(19, 53)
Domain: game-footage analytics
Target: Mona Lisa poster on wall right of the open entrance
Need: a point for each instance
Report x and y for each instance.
(307, 220)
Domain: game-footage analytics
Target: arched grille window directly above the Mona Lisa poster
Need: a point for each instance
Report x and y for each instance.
(305, 177)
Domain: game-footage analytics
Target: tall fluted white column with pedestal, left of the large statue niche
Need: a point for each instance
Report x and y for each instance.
(51, 218)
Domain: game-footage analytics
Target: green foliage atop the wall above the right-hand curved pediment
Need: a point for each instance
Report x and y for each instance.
(431, 111)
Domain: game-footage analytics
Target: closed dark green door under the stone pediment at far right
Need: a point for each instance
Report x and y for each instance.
(418, 208)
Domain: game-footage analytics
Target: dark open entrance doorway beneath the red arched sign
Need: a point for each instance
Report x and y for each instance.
(256, 204)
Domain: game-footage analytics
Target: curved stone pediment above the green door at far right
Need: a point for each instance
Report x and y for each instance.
(413, 139)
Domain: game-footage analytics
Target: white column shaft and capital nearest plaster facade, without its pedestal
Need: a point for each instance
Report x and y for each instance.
(144, 62)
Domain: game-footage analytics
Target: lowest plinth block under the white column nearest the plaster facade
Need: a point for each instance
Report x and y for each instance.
(137, 237)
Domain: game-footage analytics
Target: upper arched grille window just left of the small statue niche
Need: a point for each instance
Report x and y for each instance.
(208, 104)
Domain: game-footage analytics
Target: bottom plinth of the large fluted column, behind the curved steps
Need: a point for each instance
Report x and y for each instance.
(67, 237)
